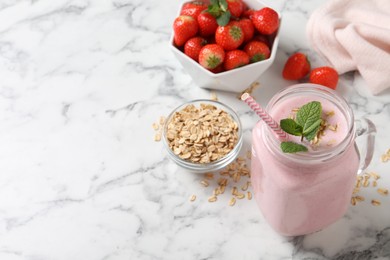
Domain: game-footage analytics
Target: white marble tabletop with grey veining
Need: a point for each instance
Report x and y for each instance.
(81, 83)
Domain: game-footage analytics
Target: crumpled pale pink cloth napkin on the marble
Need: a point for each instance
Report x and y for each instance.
(354, 35)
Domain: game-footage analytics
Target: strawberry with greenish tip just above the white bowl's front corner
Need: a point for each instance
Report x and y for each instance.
(211, 56)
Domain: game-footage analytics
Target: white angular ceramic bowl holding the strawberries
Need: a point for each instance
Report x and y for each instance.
(235, 80)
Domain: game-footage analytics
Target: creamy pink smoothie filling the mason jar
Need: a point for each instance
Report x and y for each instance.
(302, 195)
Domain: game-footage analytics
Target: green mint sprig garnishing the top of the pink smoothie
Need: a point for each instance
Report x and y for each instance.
(307, 123)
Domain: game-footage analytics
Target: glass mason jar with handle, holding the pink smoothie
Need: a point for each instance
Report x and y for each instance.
(304, 192)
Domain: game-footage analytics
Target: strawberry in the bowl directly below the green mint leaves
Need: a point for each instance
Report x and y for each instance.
(230, 37)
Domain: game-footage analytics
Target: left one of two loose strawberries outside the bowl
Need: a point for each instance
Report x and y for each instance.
(297, 67)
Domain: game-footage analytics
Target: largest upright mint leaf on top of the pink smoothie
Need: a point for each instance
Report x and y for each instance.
(308, 115)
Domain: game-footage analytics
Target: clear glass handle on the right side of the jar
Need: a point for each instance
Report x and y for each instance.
(365, 127)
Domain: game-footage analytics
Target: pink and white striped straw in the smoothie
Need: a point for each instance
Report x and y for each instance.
(264, 116)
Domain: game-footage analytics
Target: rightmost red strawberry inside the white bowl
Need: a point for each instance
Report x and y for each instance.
(266, 20)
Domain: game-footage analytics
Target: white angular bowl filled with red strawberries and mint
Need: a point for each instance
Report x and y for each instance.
(241, 38)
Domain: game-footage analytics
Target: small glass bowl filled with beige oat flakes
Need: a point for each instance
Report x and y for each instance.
(203, 135)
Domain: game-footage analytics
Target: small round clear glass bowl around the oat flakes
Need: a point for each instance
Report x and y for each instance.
(214, 165)
